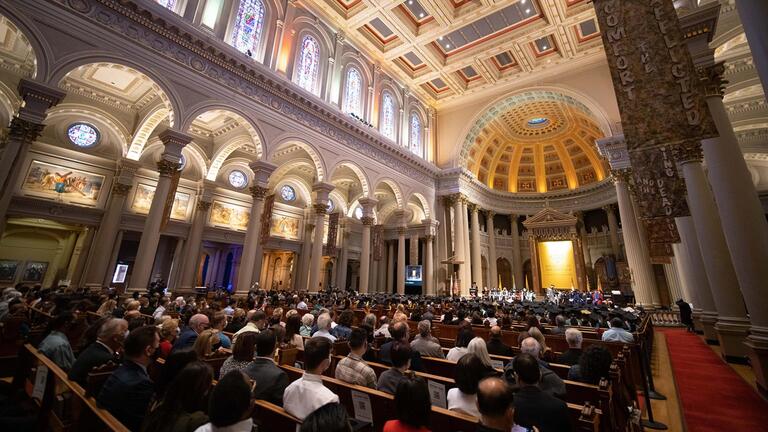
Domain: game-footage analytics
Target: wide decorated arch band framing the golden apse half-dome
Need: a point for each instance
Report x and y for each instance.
(474, 127)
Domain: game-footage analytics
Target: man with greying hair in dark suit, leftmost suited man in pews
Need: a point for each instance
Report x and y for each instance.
(109, 342)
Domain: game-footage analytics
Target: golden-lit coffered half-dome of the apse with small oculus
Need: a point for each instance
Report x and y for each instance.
(537, 145)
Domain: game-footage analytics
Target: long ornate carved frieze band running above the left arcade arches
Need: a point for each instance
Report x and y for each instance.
(215, 60)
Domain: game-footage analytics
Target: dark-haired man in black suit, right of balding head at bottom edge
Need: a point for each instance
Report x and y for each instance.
(533, 407)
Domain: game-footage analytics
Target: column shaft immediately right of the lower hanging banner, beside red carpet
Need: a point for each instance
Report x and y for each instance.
(705, 310)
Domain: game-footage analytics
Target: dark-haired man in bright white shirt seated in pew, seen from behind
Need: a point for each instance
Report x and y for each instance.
(308, 393)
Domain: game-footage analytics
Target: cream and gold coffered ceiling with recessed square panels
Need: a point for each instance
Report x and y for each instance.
(445, 49)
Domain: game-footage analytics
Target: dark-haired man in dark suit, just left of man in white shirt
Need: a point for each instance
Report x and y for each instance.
(271, 381)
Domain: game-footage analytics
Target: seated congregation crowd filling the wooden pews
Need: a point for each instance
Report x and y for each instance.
(137, 332)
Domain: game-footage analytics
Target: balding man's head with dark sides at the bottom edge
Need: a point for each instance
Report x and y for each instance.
(495, 403)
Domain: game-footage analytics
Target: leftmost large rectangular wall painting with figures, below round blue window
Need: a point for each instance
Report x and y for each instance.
(63, 184)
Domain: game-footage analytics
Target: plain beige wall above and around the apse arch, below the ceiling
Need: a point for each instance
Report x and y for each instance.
(591, 85)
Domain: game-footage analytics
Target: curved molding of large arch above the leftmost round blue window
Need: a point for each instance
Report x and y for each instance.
(168, 96)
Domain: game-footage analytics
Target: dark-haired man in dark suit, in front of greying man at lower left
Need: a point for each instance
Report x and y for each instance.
(128, 391)
